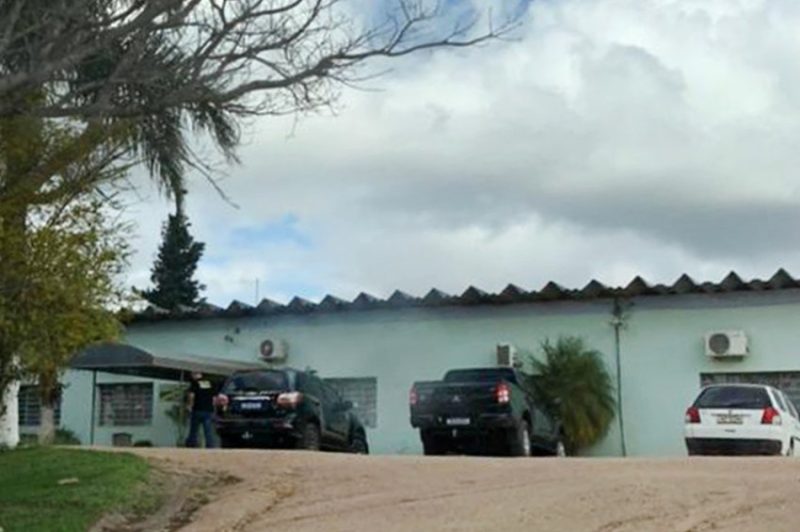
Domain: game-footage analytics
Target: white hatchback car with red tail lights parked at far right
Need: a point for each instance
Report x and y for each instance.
(742, 419)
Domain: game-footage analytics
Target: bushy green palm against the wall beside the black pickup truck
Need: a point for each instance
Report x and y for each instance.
(573, 385)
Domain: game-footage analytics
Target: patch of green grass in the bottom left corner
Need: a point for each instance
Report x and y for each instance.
(31, 498)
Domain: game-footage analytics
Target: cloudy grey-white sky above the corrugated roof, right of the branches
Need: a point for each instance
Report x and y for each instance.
(610, 138)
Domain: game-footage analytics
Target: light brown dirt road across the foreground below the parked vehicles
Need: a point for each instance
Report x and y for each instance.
(295, 491)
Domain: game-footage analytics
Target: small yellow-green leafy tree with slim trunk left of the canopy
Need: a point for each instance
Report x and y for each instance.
(73, 266)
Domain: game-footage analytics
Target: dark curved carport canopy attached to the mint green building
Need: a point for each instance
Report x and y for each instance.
(125, 359)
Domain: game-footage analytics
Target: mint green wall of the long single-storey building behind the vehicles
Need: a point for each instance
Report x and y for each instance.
(669, 339)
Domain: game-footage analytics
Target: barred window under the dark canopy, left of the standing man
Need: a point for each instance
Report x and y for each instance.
(126, 404)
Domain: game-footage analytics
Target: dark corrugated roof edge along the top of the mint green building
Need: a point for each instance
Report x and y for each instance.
(473, 295)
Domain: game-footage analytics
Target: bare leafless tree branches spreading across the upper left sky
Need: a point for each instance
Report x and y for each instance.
(241, 57)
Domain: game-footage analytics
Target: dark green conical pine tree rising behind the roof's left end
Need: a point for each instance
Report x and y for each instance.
(173, 271)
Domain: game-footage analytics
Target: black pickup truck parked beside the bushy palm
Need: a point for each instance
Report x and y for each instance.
(485, 411)
